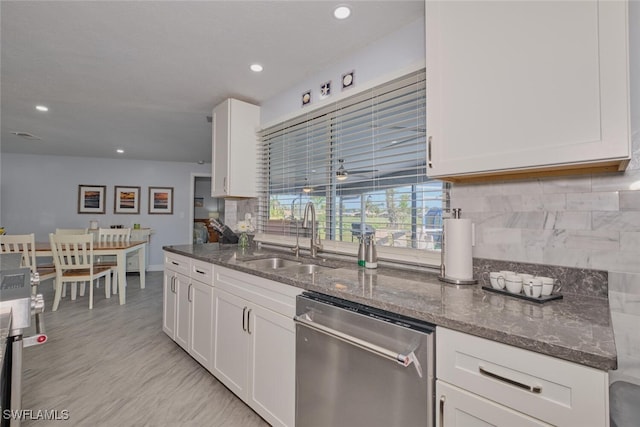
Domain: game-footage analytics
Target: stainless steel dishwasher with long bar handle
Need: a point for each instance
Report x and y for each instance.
(360, 366)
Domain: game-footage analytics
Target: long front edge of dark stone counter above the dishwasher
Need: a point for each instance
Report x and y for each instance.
(597, 361)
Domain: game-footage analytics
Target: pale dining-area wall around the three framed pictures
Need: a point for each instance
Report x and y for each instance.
(40, 193)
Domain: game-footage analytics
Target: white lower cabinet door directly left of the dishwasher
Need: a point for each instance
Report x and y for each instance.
(272, 362)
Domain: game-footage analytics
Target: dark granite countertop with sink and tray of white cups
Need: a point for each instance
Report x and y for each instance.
(575, 328)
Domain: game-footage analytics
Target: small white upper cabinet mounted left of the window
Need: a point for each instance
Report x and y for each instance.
(234, 149)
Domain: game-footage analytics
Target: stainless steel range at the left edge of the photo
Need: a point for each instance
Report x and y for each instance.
(17, 307)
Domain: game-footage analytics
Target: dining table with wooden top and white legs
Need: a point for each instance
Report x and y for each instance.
(120, 250)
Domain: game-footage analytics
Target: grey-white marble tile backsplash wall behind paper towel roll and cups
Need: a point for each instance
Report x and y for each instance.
(587, 222)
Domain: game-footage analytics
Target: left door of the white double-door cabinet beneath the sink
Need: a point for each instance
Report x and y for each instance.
(231, 342)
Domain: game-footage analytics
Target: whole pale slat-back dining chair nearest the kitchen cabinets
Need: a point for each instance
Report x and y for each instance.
(73, 258)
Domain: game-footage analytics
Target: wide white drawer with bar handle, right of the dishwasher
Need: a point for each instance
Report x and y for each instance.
(553, 390)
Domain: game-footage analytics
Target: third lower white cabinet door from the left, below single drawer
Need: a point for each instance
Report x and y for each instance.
(201, 347)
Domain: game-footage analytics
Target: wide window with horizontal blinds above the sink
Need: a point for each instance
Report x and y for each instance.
(362, 162)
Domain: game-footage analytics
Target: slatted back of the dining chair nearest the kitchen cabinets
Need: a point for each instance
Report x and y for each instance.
(72, 251)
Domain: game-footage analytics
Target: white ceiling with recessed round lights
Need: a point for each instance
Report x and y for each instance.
(144, 75)
